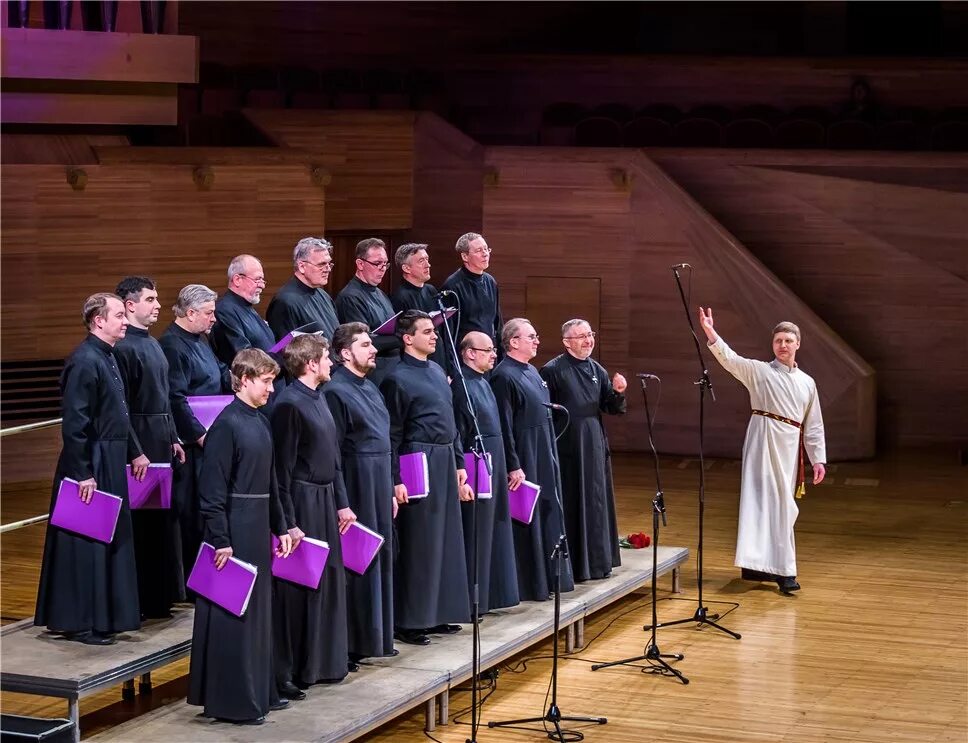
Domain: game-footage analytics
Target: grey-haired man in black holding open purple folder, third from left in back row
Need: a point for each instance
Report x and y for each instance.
(193, 371)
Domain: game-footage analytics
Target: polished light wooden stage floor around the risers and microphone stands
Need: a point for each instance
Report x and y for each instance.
(874, 648)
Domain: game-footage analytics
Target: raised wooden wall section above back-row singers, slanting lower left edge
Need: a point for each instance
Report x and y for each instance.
(370, 156)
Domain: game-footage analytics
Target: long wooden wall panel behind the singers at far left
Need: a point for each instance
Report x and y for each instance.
(59, 245)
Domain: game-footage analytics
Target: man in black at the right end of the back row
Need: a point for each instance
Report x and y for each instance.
(476, 291)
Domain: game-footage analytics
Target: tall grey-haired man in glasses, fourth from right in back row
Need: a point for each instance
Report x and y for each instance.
(302, 299)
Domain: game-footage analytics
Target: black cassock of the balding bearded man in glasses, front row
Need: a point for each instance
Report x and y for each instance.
(496, 573)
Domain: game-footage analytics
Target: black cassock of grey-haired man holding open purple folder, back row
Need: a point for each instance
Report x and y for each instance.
(192, 370)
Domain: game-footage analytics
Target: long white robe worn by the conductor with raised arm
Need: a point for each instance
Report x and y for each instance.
(767, 507)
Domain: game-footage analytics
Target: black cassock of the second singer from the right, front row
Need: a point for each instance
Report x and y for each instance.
(529, 445)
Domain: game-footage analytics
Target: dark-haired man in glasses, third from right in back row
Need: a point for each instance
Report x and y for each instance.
(361, 300)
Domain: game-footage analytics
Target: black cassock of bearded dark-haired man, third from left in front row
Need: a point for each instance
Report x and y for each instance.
(363, 436)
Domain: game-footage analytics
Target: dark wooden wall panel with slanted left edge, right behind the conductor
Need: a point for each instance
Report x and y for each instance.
(876, 244)
